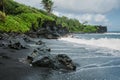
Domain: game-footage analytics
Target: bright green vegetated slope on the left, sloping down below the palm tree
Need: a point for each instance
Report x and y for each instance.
(20, 18)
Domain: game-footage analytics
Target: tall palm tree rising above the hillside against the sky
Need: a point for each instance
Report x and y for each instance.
(48, 5)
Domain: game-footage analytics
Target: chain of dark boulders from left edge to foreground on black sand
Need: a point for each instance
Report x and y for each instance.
(40, 55)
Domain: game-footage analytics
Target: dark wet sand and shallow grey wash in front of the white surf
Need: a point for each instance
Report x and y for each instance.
(90, 66)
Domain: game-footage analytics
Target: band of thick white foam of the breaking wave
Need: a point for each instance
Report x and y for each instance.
(110, 43)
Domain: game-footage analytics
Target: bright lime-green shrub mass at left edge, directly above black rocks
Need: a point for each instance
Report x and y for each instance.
(13, 24)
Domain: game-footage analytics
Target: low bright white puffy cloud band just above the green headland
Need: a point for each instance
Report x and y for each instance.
(91, 18)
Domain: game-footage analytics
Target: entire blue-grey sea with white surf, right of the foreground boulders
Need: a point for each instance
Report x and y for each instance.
(97, 56)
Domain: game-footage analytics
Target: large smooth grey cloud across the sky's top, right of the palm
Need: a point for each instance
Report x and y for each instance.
(86, 6)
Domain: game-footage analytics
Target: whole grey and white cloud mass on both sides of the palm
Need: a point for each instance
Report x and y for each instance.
(83, 10)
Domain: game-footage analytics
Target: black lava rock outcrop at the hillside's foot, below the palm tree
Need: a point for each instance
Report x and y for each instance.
(49, 30)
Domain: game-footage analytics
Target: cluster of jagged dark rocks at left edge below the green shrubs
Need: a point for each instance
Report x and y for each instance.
(14, 41)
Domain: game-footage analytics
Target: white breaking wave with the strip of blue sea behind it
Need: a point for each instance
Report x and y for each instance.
(106, 40)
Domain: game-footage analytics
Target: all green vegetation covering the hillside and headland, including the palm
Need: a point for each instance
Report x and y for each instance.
(20, 18)
